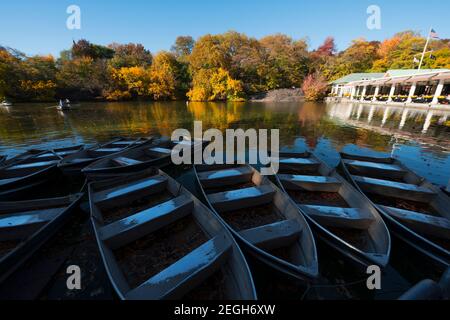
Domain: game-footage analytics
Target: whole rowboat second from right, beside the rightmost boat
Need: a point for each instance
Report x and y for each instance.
(341, 216)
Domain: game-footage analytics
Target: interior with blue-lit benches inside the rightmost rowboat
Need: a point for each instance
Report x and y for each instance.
(403, 195)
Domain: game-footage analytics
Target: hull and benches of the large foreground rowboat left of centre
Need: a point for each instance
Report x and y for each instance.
(219, 252)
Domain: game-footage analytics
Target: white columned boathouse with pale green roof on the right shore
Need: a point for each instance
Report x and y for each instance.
(402, 87)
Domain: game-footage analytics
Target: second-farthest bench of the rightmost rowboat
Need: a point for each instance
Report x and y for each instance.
(395, 189)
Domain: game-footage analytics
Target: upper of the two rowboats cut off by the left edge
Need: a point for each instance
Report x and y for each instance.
(20, 176)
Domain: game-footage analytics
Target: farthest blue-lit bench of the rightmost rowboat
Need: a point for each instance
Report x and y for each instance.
(386, 170)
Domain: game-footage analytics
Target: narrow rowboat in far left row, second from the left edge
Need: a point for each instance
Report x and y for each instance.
(74, 163)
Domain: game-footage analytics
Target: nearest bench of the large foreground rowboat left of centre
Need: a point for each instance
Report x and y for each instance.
(178, 279)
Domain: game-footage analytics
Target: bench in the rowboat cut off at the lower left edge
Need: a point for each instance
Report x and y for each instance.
(21, 225)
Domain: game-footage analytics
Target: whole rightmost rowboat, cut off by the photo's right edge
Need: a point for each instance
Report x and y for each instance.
(415, 210)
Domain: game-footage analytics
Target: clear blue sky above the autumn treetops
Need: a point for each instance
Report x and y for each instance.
(39, 26)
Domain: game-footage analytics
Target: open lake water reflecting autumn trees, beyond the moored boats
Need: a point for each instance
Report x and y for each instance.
(421, 139)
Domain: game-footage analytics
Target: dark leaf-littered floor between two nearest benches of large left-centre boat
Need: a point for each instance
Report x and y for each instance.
(151, 254)
